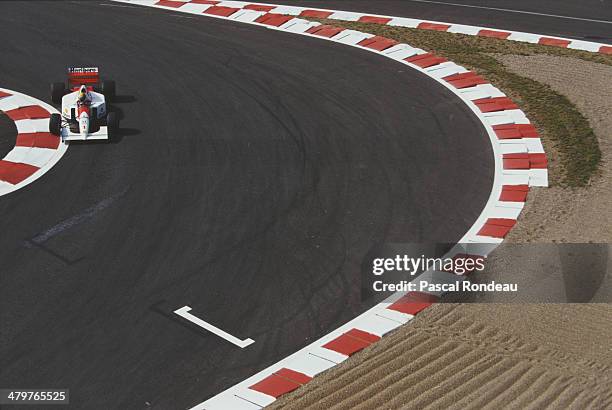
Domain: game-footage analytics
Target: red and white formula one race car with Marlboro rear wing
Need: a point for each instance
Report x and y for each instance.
(84, 114)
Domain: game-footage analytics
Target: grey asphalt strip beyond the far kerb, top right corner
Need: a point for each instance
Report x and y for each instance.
(589, 20)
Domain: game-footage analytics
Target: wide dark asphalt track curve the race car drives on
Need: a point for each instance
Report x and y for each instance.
(254, 171)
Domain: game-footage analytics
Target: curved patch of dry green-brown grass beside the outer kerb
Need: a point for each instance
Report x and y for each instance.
(566, 133)
